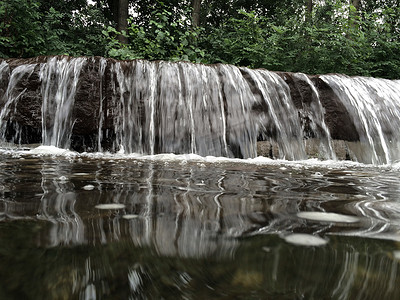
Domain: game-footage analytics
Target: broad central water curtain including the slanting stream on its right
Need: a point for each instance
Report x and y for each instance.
(207, 110)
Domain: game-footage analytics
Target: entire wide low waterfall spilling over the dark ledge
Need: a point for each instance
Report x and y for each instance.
(152, 107)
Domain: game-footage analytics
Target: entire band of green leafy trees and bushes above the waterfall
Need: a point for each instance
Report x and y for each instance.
(276, 35)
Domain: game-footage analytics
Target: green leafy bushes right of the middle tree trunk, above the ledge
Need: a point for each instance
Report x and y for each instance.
(334, 39)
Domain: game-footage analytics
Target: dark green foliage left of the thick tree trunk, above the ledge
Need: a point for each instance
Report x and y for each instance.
(29, 30)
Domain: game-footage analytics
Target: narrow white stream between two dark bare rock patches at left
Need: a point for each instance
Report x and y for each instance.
(59, 82)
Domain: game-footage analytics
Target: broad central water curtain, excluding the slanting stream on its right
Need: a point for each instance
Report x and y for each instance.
(183, 108)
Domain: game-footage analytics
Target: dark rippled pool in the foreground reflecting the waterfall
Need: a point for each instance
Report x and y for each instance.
(193, 229)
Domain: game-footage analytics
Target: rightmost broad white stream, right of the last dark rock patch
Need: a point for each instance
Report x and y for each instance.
(374, 105)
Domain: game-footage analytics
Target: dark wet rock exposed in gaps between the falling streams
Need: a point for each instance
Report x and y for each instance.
(95, 103)
